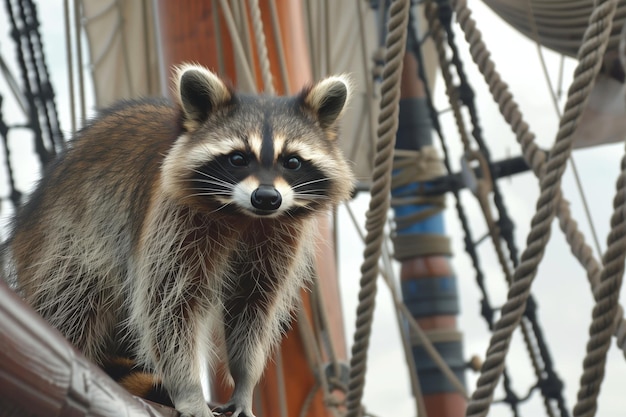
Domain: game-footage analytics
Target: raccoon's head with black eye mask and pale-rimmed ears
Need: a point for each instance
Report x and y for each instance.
(258, 156)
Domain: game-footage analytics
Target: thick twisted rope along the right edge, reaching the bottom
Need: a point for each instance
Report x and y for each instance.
(604, 312)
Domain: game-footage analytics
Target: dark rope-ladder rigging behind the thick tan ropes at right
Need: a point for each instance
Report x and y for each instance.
(462, 95)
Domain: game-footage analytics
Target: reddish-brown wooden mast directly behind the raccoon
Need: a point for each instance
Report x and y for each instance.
(188, 33)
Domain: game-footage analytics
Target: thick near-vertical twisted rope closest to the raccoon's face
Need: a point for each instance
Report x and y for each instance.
(379, 203)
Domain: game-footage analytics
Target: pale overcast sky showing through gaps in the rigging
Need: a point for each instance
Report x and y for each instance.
(560, 287)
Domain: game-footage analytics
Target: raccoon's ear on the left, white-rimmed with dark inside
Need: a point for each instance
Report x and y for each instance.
(199, 93)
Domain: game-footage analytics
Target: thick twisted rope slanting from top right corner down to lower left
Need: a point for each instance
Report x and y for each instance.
(592, 49)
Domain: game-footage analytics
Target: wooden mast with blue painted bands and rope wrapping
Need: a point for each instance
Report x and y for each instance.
(427, 280)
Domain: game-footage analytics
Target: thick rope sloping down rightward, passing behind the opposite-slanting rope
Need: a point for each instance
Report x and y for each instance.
(534, 156)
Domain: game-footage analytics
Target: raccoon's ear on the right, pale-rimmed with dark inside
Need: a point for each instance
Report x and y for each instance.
(328, 98)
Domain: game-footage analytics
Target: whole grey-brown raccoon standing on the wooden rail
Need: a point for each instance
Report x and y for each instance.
(183, 231)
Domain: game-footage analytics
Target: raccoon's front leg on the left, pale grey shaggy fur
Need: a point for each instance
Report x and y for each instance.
(168, 319)
